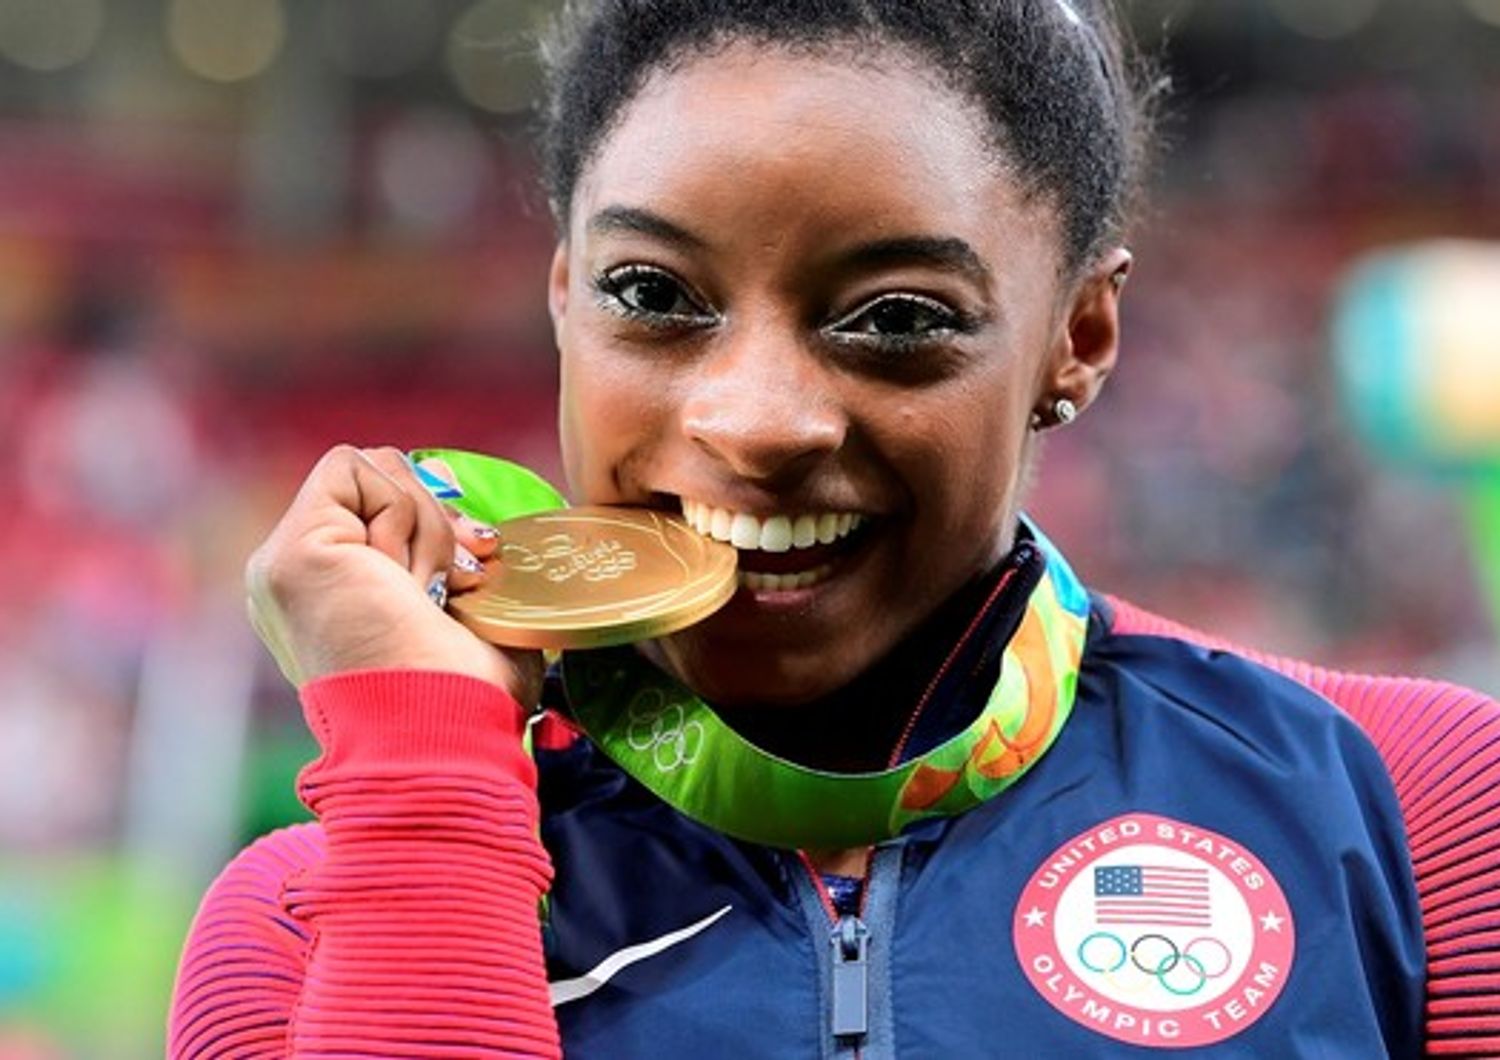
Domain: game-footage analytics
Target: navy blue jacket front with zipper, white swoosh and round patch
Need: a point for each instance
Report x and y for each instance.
(1213, 857)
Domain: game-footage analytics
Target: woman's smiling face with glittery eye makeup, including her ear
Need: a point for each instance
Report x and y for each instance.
(802, 304)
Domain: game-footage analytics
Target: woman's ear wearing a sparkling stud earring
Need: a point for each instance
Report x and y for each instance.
(1090, 343)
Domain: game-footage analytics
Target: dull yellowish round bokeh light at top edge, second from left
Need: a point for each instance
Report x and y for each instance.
(226, 40)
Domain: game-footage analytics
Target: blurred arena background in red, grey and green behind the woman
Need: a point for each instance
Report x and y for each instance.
(235, 233)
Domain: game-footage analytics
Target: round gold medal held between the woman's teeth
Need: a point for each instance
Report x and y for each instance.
(596, 576)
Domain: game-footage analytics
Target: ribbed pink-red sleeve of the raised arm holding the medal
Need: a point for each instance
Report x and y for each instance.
(407, 923)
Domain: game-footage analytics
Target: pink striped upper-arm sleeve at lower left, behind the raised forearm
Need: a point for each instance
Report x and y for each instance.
(244, 960)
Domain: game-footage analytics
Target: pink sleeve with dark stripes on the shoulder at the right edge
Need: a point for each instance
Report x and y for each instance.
(1441, 747)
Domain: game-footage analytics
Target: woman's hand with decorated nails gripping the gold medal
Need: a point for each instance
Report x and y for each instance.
(353, 575)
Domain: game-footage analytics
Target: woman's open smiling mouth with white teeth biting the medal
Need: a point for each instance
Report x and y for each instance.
(781, 552)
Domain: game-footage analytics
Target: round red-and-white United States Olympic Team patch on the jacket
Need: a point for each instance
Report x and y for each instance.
(1156, 933)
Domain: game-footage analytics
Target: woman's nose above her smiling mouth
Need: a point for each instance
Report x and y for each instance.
(766, 407)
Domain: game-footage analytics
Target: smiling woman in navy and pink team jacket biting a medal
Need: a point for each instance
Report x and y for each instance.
(827, 266)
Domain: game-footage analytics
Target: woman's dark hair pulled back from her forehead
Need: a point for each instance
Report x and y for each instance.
(1069, 104)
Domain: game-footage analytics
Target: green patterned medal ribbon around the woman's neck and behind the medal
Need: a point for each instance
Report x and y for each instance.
(673, 743)
